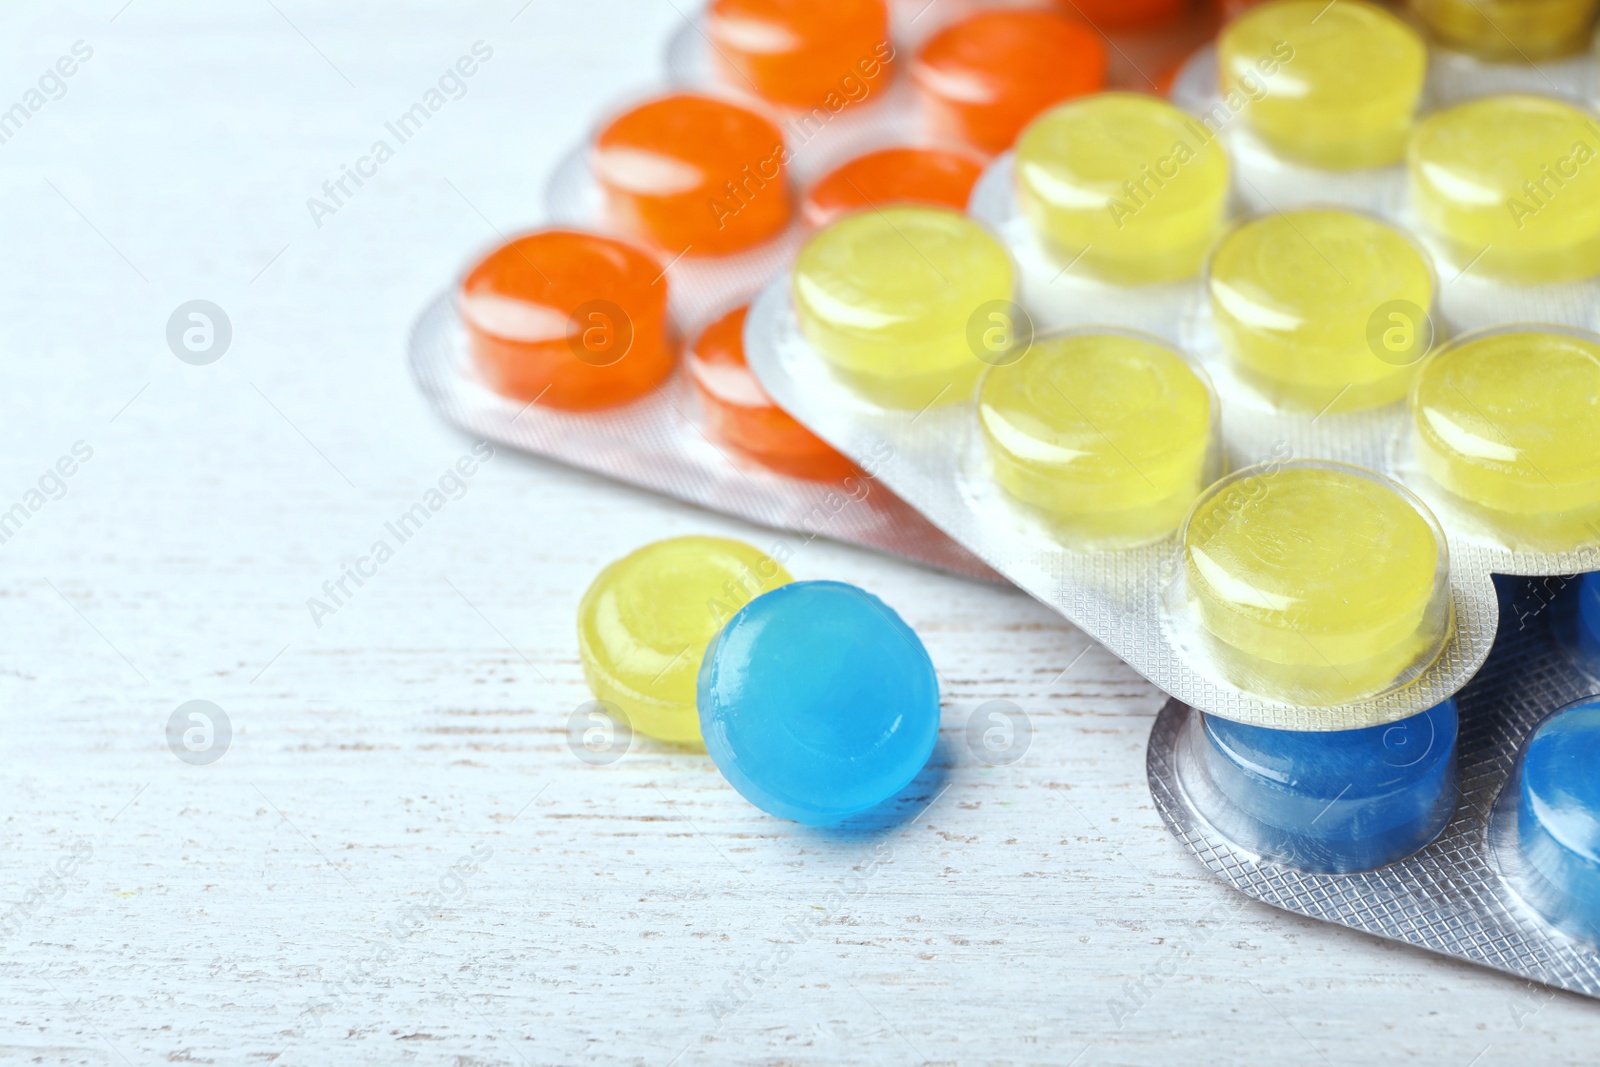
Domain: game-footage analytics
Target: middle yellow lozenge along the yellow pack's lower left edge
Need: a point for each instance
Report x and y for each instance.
(1106, 436)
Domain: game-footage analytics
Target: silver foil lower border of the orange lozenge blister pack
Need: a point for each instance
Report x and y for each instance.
(655, 444)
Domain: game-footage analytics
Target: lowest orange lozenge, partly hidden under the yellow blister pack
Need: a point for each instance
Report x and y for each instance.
(742, 415)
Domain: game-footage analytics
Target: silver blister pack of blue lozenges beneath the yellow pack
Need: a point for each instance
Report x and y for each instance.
(1474, 837)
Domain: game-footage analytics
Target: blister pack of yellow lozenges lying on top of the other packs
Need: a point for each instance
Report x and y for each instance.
(1385, 463)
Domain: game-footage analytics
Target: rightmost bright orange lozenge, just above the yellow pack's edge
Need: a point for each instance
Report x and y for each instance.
(985, 78)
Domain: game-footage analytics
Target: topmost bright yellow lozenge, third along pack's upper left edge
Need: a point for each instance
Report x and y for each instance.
(1346, 81)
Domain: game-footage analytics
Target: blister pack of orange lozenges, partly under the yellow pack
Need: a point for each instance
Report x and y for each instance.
(775, 119)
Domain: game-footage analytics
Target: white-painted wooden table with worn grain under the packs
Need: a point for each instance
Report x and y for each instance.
(303, 900)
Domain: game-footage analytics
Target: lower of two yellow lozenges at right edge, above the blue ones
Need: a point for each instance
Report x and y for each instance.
(1510, 422)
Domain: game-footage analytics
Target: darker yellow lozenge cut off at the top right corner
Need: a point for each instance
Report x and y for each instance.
(1511, 31)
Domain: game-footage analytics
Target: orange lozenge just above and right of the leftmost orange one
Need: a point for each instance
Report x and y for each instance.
(694, 174)
